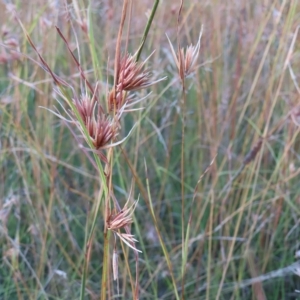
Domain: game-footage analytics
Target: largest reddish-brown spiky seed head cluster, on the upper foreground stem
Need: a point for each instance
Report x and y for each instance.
(102, 127)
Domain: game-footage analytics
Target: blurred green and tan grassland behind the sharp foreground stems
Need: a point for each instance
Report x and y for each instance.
(245, 90)
